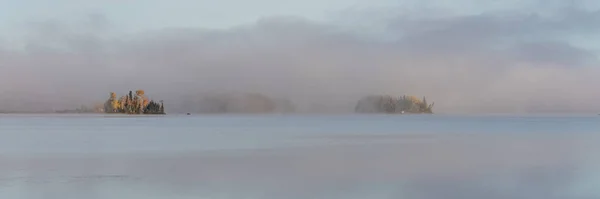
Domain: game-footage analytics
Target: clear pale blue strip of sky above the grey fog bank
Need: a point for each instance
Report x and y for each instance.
(136, 15)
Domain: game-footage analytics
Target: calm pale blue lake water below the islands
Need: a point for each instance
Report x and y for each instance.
(299, 156)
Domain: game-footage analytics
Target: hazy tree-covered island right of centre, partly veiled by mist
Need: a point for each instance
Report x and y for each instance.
(393, 105)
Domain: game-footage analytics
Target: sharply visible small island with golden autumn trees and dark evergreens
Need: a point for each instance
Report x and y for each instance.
(130, 104)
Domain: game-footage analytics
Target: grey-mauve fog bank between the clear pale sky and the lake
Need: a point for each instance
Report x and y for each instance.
(489, 62)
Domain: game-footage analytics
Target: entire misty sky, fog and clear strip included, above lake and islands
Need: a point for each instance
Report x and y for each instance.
(465, 55)
